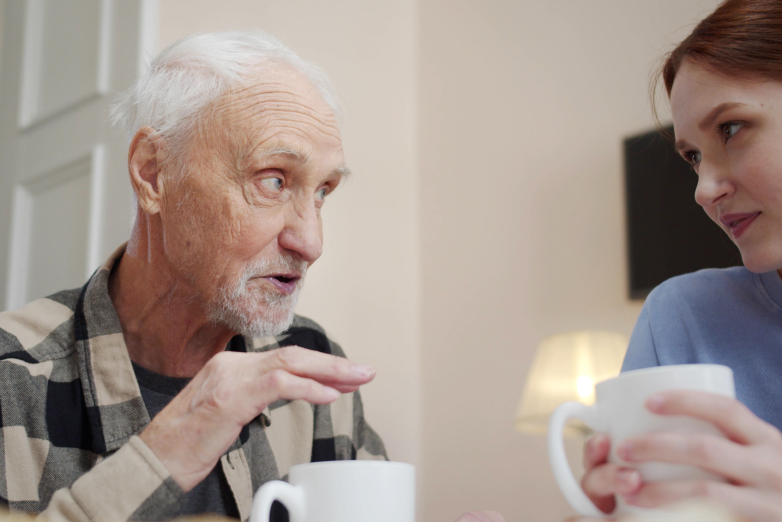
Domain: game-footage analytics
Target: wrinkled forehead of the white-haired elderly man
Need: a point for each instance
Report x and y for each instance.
(278, 103)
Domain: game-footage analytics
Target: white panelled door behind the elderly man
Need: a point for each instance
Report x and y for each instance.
(65, 198)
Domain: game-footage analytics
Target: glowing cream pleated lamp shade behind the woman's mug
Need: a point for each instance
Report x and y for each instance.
(566, 368)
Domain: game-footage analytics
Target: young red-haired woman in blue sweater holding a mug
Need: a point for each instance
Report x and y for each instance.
(724, 83)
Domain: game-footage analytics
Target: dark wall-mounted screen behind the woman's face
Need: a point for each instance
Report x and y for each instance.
(669, 234)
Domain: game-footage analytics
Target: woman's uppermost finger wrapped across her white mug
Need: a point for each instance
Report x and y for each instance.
(732, 418)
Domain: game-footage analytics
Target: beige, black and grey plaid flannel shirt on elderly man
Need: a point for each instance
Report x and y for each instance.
(71, 410)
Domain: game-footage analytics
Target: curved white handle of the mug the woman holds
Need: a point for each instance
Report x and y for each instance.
(558, 459)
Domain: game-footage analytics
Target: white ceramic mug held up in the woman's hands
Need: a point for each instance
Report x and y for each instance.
(620, 412)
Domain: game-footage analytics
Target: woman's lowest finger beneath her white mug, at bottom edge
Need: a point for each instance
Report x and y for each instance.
(747, 503)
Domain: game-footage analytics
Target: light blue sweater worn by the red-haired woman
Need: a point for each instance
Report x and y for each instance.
(729, 316)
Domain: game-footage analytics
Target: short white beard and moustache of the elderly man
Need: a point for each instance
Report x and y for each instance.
(260, 311)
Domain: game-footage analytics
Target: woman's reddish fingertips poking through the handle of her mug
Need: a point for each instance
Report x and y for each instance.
(603, 480)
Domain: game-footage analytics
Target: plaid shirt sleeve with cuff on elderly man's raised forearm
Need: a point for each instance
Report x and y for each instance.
(131, 484)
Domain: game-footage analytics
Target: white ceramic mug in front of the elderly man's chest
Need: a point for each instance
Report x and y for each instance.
(342, 491)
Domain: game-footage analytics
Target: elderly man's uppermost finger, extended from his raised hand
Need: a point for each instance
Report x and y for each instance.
(321, 367)
